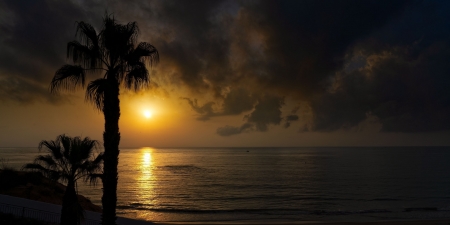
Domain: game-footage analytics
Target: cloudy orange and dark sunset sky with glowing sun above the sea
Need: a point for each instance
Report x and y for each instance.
(240, 73)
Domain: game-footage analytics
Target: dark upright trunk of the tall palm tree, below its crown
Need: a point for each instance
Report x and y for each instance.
(111, 138)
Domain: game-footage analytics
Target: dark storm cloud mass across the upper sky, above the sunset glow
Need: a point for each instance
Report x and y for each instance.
(344, 63)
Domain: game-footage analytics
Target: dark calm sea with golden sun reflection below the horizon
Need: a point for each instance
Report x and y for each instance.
(342, 184)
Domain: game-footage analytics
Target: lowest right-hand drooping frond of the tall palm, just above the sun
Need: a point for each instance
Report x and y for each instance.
(137, 78)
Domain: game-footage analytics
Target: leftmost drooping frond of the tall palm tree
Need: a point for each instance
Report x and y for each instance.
(68, 77)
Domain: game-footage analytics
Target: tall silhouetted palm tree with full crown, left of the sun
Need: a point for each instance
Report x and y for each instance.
(113, 52)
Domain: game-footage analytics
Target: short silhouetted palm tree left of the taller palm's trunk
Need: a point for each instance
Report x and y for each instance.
(68, 160)
